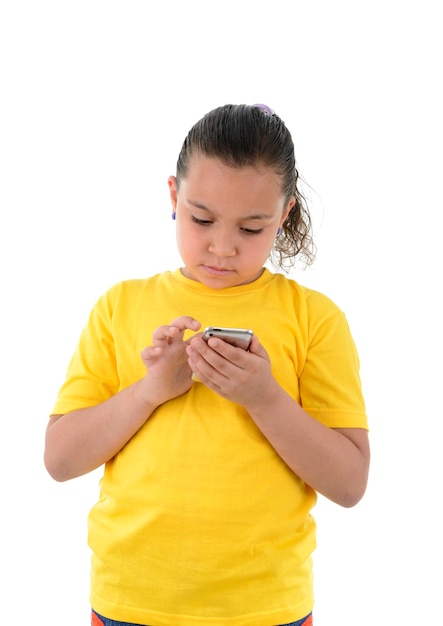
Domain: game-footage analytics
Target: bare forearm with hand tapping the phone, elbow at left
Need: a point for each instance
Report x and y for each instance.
(79, 442)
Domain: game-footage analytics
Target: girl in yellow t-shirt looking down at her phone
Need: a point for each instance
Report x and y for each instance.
(213, 454)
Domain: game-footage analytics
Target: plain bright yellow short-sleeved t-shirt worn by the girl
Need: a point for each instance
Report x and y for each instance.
(199, 521)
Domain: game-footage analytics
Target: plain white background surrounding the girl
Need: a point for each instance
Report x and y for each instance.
(96, 99)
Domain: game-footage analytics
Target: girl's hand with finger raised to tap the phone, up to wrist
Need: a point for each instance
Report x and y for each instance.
(168, 373)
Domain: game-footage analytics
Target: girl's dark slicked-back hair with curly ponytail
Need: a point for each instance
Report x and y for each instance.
(241, 135)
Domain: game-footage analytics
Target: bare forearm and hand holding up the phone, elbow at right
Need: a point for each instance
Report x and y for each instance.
(334, 462)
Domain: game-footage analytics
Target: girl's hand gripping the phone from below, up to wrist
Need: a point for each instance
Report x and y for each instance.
(233, 373)
